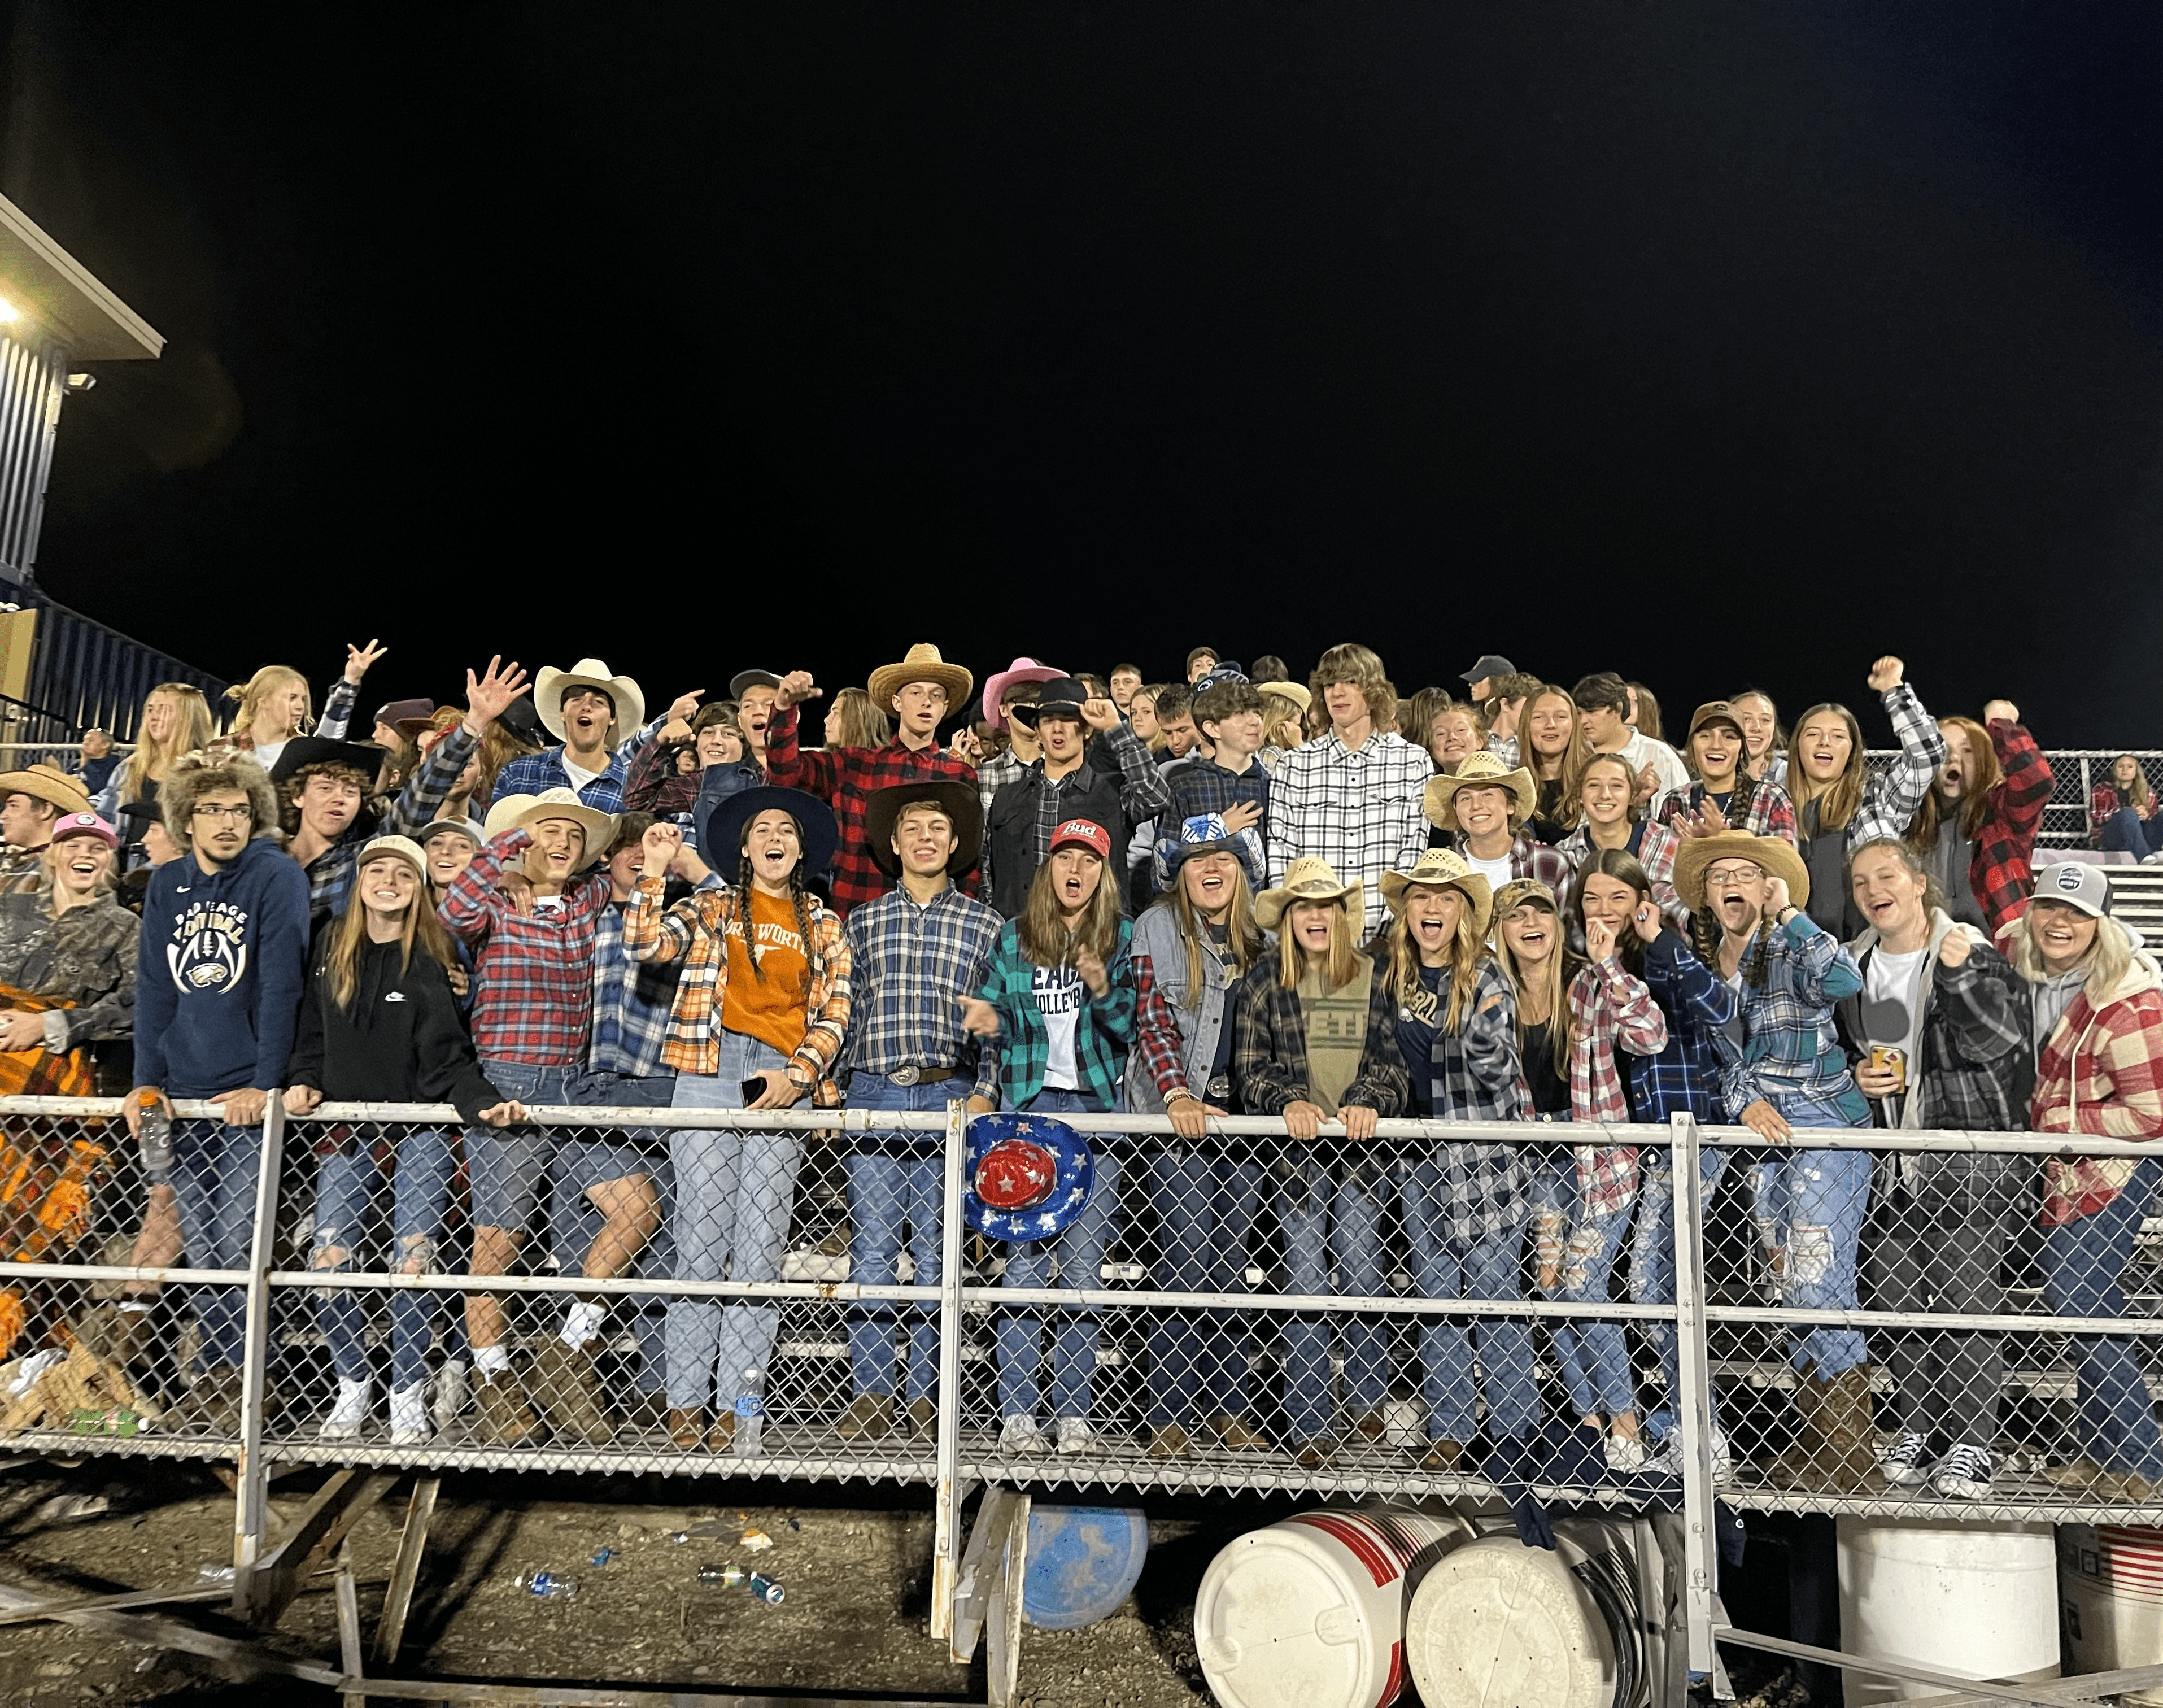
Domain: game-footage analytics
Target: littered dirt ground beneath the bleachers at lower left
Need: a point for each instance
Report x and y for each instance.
(855, 1564)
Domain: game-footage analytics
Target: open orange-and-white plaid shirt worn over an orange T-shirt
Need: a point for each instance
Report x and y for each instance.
(693, 933)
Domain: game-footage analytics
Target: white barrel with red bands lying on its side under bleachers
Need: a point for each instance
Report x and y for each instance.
(1310, 1614)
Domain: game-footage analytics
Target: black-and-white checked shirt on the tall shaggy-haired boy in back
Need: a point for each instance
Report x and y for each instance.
(1362, 812)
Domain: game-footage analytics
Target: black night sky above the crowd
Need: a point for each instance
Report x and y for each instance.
(1706, 343)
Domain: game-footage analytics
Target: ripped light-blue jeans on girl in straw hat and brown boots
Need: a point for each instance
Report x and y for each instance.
(1812, 1205)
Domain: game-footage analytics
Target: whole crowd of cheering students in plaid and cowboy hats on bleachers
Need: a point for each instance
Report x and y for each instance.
(1238, 894)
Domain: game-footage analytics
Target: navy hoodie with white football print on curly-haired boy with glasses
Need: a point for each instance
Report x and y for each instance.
(222, 972)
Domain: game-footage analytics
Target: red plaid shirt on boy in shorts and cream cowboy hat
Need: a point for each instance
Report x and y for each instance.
(533, 974)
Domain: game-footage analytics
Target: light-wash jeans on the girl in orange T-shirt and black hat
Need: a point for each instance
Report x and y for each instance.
(734, 1201)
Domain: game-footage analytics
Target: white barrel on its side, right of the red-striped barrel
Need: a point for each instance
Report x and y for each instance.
(1498, 1625)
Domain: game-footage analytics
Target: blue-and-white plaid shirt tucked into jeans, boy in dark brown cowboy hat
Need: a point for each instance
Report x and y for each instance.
(910, 970)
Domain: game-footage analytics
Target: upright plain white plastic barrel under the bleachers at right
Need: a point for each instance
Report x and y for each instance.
(1974, 1601)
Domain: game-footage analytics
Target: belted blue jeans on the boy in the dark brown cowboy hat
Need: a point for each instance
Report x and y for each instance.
(899, 1182)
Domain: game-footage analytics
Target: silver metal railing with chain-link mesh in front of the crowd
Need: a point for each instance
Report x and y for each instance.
(1357, 1331)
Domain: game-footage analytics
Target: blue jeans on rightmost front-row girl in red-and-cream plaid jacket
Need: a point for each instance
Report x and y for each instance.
(2082, 1266)
